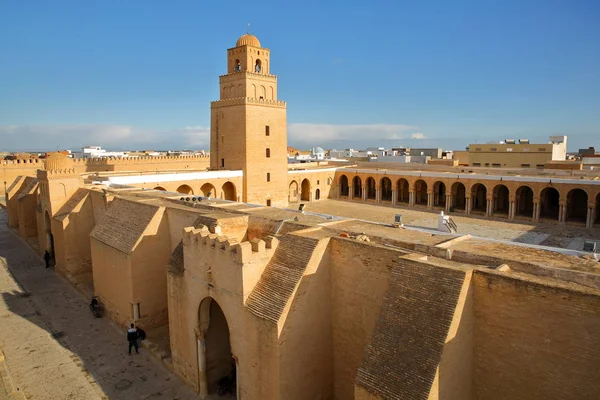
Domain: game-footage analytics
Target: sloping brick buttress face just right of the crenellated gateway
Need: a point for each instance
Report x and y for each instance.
(281, 276)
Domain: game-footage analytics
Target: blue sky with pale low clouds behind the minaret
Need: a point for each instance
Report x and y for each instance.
(139, 74)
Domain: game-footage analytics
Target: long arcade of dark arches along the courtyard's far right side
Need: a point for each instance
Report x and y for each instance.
(490, 198)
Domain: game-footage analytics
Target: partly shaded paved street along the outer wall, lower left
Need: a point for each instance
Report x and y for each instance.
(51, 347)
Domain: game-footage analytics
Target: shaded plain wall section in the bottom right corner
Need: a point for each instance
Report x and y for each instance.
(533, 340)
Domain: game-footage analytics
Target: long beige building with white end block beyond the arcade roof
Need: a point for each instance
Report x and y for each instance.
(522, 154)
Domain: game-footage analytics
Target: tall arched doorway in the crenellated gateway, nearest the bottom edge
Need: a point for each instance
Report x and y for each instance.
(216, 365)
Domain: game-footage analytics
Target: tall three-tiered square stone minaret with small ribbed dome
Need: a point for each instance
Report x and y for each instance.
(248, 124)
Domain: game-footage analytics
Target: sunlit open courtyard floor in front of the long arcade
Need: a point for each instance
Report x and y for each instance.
(520, 230)
